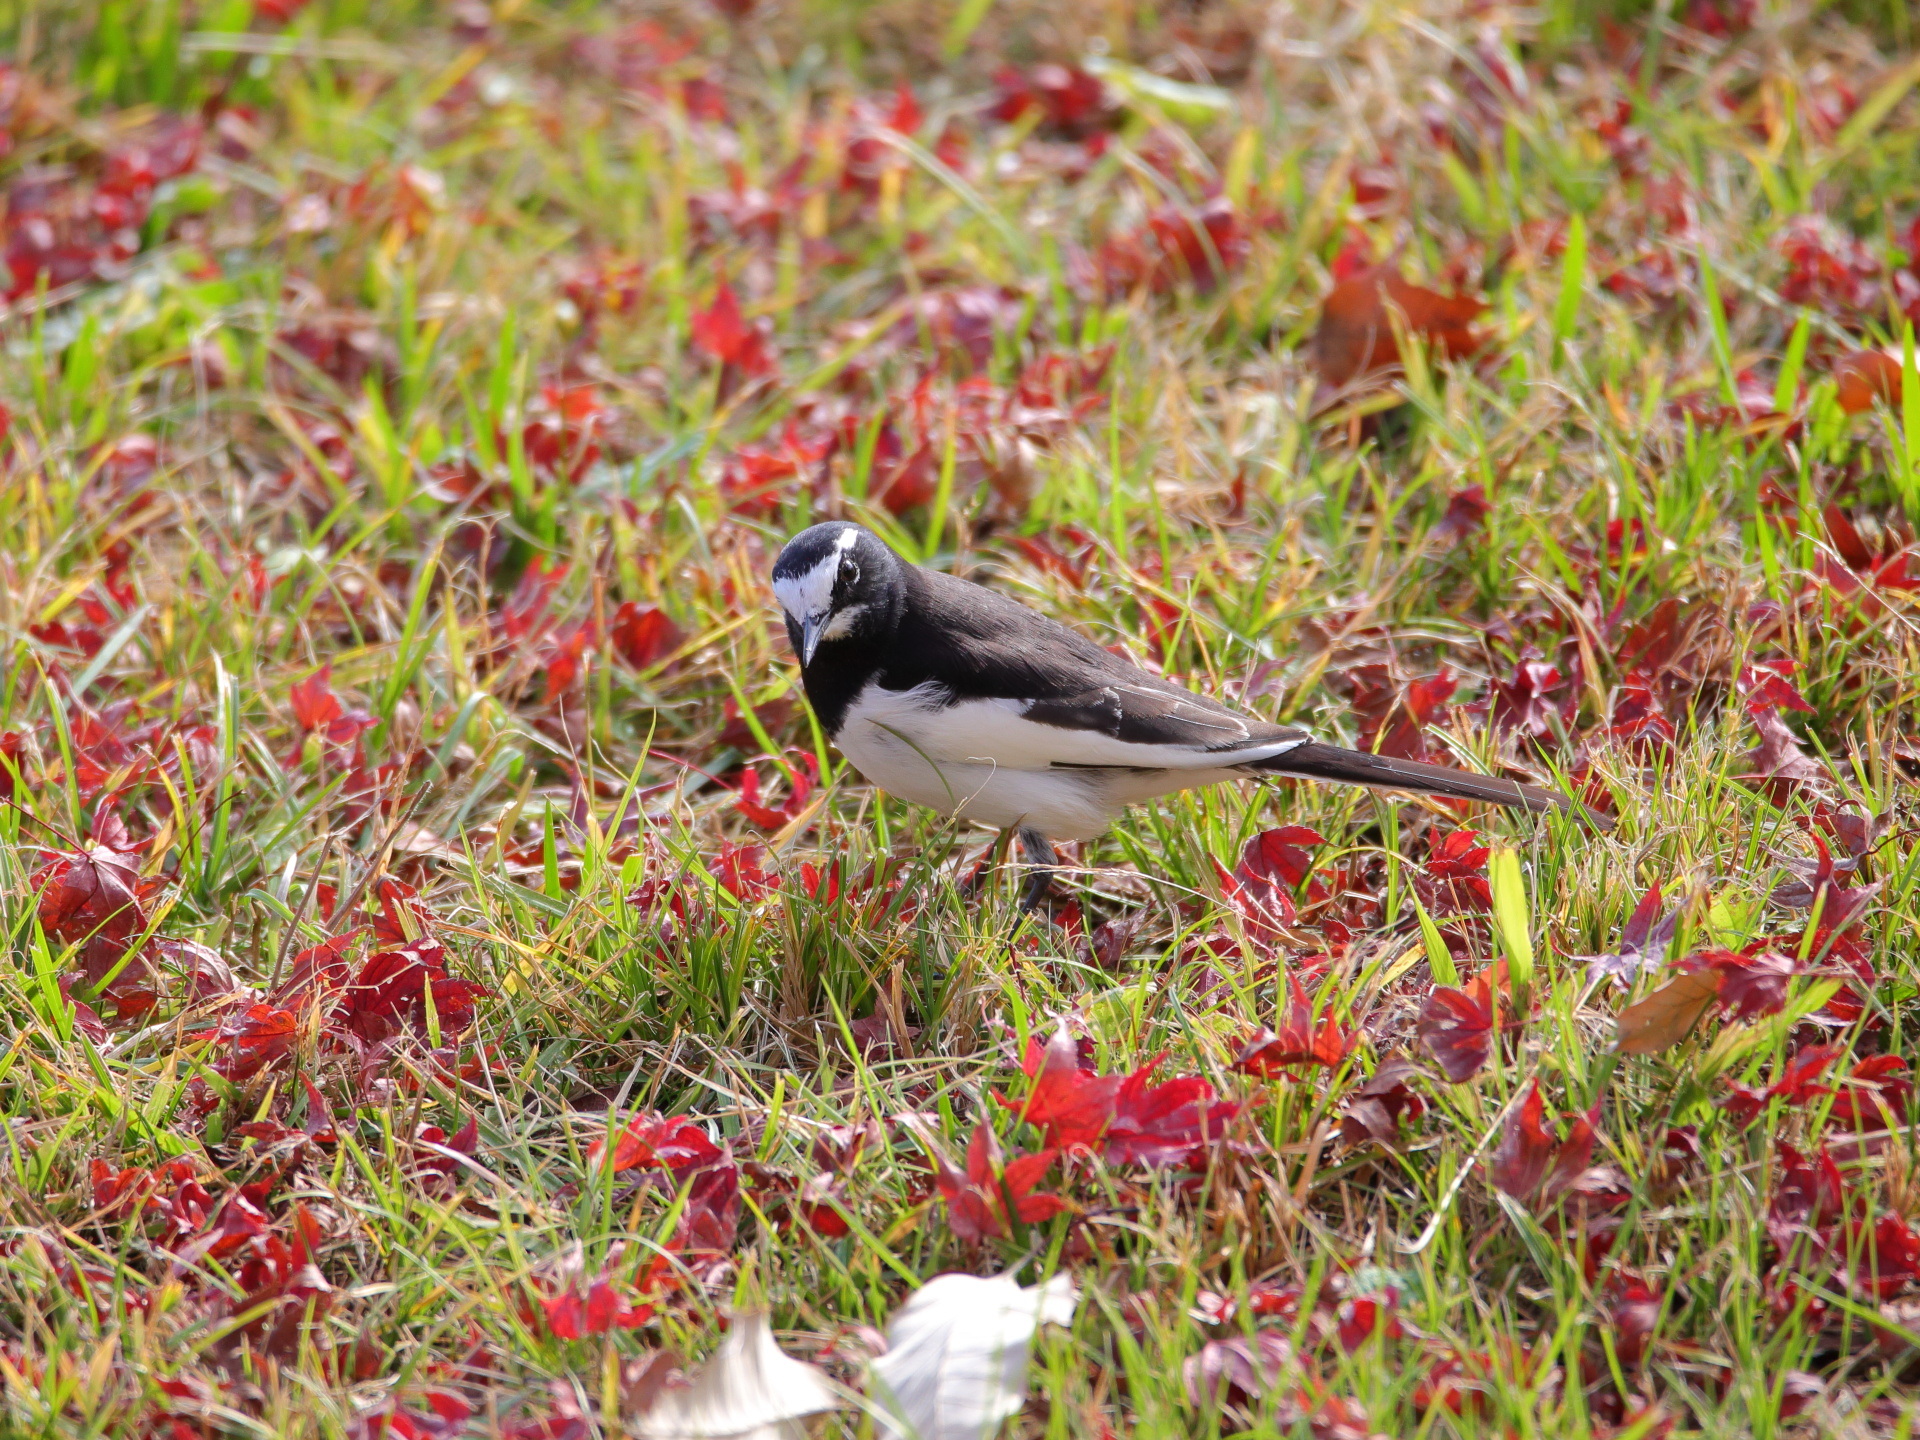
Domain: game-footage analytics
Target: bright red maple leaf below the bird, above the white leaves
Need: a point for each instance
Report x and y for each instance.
(1126, 1118)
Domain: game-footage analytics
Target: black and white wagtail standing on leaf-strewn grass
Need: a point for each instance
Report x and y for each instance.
(974, 706)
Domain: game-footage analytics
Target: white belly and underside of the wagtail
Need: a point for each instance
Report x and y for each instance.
(907, 744)
